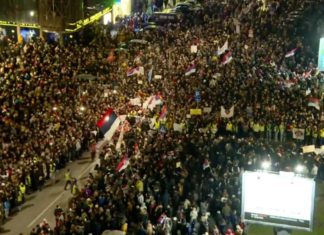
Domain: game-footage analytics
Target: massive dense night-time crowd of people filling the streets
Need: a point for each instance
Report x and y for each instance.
(185, 181)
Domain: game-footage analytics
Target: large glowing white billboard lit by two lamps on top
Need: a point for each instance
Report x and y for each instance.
(278, 199)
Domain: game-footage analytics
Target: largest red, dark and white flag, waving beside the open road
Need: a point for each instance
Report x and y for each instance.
(108, 123)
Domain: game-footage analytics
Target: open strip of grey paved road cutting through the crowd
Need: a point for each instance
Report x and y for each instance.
(40, 205)
